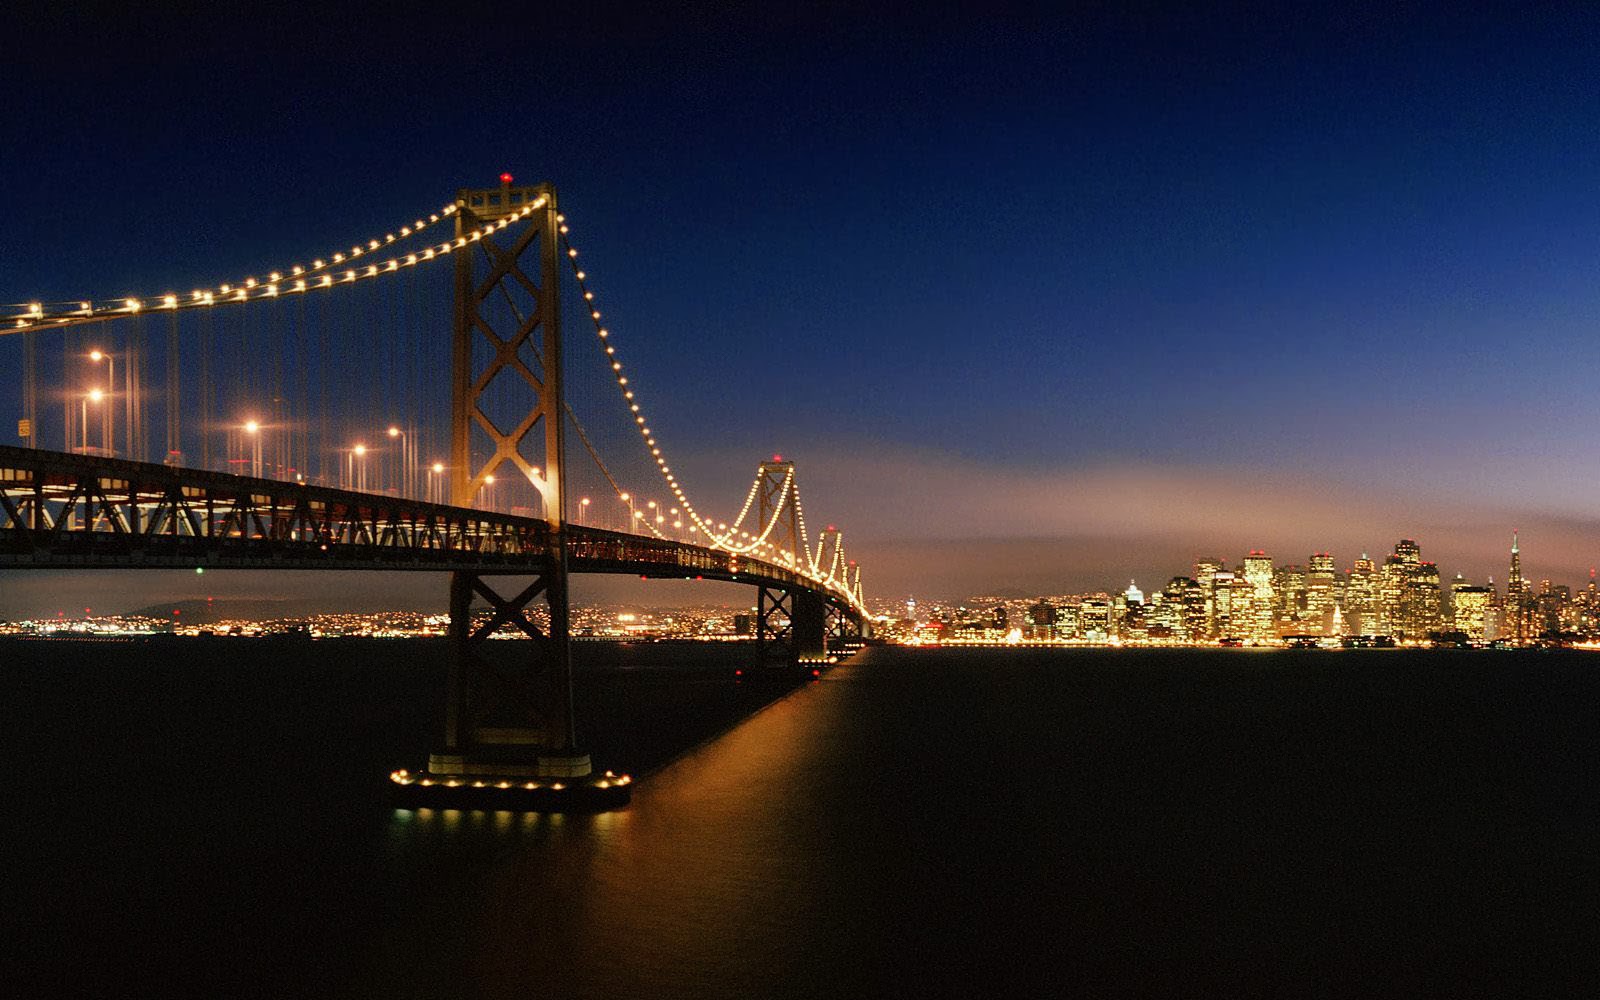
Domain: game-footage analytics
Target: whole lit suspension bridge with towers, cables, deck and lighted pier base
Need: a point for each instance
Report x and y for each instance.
(298, 418)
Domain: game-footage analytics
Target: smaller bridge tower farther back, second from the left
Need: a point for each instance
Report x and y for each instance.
(791, 625)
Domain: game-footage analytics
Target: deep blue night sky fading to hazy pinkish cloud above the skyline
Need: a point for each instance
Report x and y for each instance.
(1034, 302)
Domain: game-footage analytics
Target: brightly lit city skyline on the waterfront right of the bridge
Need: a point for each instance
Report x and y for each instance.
(1398, 601)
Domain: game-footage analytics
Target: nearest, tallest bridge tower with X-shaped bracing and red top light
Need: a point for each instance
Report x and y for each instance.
(510, 705)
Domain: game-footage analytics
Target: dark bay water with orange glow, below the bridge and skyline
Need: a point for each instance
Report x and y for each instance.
(918, 823)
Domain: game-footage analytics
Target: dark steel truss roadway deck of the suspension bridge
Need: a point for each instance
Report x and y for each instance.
(87, 513)
